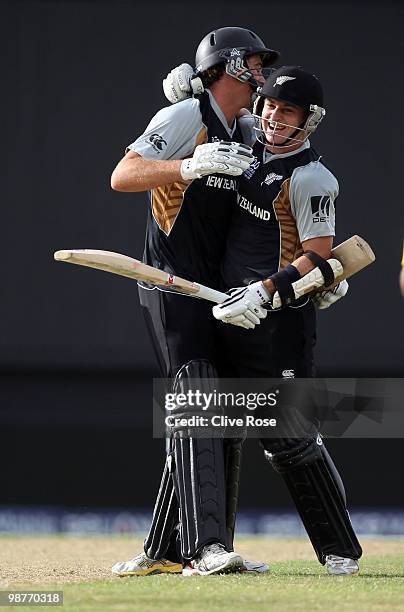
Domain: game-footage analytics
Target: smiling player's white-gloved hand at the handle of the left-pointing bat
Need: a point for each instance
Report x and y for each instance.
(244, 307)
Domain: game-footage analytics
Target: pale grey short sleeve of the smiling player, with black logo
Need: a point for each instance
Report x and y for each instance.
(313, 192)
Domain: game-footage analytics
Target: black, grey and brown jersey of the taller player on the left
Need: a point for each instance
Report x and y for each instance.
(188, 221)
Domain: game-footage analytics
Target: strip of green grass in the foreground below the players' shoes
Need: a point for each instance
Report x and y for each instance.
(292, 585)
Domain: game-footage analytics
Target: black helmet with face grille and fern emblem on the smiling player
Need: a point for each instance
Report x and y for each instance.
(296, 86)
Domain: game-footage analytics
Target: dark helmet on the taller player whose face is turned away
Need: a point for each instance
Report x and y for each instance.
(230, 46)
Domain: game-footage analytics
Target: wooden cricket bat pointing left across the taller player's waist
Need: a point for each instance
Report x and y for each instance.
(116, 263)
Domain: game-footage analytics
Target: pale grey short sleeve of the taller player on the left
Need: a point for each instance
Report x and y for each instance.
(172, 133)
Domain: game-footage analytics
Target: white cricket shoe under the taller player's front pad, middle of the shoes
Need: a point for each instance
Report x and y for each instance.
(213, 559)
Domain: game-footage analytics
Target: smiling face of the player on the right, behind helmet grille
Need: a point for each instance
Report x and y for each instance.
(279, 122)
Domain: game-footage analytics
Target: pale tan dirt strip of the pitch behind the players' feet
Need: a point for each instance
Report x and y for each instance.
(58, 560)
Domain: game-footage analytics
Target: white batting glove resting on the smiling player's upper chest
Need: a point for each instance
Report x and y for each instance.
(217, 158)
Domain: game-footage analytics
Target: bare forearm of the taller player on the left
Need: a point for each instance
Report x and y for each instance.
(138, 174)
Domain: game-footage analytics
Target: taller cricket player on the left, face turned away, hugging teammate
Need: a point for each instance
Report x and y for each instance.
(188, 158)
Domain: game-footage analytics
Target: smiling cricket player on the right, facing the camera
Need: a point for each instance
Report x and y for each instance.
(282, 228)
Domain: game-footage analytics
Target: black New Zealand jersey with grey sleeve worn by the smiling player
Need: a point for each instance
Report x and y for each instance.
(282, 201)
